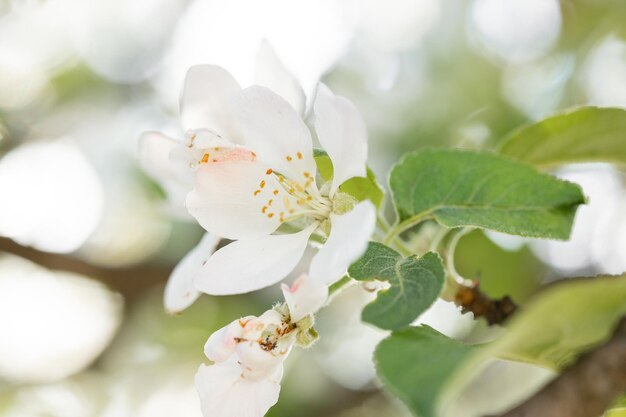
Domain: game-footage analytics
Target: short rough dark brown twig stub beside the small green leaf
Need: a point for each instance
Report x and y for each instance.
(472, 299)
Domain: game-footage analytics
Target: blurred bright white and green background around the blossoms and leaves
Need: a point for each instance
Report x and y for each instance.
(87, 240)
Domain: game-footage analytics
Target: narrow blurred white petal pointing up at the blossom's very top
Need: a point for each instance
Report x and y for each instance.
(271, 73)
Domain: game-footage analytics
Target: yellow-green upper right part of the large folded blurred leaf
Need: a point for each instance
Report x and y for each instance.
(563, 321)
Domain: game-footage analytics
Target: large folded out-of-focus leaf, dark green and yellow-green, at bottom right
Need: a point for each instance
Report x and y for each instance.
(434, 375)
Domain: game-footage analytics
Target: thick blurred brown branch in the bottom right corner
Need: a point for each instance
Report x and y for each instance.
(585, 389)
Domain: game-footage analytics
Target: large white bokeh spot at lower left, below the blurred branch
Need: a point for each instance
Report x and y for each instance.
(55, 324)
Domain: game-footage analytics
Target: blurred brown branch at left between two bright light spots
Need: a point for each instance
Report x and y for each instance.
(129, 281)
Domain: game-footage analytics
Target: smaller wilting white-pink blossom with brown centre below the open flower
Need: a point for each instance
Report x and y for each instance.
(248, 355)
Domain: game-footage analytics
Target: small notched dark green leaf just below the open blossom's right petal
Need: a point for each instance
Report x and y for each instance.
(415, 283)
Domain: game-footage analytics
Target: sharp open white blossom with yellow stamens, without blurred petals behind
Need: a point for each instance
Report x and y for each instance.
(249, 198)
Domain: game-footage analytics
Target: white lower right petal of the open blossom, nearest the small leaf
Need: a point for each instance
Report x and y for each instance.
(349, 235)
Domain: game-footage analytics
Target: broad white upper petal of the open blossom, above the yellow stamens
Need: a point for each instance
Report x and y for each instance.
(273, 129)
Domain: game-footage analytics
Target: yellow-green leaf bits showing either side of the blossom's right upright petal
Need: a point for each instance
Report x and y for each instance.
(361, 188)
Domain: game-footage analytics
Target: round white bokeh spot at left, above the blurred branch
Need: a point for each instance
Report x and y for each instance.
(52, 197)
